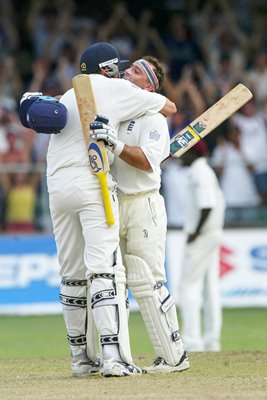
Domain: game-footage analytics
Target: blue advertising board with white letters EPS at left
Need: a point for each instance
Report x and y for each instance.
(29, 275)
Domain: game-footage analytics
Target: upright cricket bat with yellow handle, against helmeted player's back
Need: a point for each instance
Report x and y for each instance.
(96, 149)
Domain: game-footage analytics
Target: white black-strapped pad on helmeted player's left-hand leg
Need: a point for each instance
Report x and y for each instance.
(80, 333)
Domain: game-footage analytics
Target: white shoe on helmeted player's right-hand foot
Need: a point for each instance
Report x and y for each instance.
(112, 367)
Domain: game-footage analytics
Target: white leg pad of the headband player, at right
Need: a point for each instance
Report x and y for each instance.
(157, 308)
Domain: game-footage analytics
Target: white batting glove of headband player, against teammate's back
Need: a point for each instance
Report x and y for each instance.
(102, 131)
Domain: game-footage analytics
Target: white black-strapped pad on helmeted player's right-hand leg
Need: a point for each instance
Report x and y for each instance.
(108, 297)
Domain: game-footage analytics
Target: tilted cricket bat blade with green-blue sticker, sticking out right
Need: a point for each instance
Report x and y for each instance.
(215, 115)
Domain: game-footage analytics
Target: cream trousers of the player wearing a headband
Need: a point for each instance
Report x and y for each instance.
(143, 228)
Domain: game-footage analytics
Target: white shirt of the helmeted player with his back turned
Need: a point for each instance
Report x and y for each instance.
(117, 99)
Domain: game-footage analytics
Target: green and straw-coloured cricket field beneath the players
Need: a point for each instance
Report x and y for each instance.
(35, 364)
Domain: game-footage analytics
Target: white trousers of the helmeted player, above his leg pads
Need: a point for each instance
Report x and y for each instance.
(85, 243)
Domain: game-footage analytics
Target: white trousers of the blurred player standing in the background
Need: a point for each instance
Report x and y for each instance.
(199, 290)
